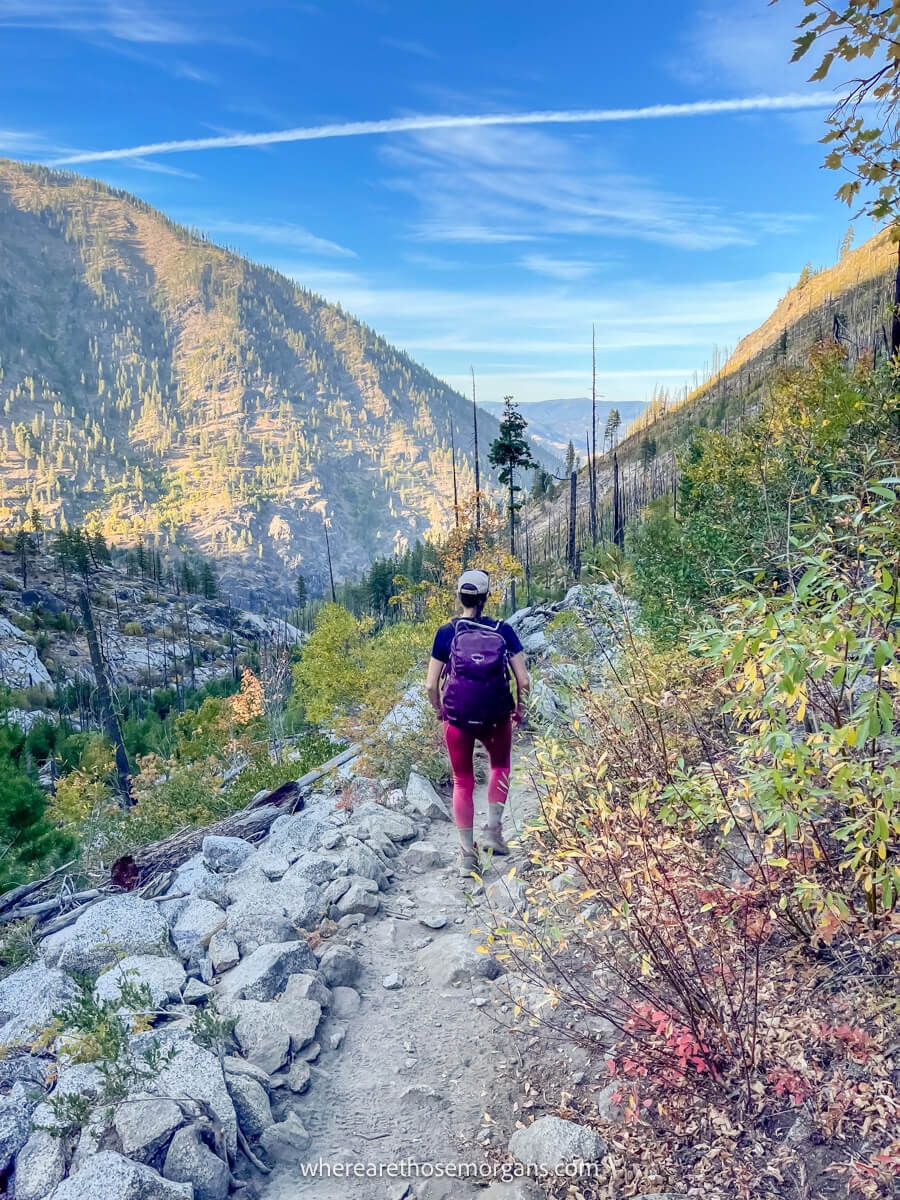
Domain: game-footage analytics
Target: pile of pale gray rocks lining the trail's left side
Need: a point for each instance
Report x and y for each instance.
(253, 943)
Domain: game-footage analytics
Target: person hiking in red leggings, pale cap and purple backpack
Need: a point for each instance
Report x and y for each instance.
(471, 689)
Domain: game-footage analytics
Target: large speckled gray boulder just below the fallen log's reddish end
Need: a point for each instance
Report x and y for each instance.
(117, 927)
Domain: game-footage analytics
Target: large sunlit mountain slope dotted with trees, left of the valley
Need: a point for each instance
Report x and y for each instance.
(160, 386)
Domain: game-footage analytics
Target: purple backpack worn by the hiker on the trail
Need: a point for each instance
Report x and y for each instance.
(477, 688)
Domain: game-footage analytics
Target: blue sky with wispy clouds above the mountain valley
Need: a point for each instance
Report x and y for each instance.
(487, 245)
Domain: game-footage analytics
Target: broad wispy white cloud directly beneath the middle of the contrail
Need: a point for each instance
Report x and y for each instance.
(531, 185)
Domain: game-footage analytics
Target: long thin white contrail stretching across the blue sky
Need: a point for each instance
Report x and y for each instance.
(794, 101)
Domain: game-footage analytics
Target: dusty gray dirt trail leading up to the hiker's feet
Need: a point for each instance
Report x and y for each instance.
(421, 1064)
